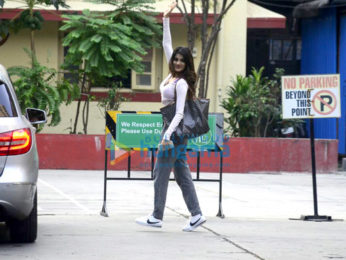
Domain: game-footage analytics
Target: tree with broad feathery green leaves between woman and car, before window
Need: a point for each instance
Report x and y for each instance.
(107, 45)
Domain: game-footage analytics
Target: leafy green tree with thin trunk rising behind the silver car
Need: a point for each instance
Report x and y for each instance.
(37, 86)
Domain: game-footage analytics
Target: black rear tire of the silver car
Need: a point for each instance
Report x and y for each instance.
(25, 231)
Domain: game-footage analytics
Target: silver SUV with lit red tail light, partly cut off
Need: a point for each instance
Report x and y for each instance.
(18, 164)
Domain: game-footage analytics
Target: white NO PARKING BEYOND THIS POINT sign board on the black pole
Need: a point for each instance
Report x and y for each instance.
(311, 96)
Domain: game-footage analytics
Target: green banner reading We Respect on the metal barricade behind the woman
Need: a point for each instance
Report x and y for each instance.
(144, 130)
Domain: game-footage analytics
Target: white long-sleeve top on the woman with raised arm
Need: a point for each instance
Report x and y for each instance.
(168, 89)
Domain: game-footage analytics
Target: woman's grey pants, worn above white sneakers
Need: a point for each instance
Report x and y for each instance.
(165, 161)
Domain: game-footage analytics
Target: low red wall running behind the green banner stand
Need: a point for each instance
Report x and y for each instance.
(86, 152)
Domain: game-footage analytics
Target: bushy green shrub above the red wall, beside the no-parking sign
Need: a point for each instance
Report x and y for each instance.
(254, 107)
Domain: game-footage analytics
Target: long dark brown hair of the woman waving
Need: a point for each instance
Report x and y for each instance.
(189, 73)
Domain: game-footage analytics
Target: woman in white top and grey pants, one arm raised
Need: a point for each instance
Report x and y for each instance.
(179, 85)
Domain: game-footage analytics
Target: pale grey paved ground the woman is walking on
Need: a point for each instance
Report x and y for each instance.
(257, 208)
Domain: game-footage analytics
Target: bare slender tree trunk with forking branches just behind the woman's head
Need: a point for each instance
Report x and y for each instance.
(208, 37)
